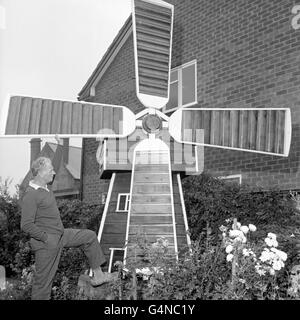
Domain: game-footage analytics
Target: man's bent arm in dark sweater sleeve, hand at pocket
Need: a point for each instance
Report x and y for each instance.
(29, 209)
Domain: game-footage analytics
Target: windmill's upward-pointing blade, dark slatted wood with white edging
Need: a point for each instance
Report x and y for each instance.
(152, 22)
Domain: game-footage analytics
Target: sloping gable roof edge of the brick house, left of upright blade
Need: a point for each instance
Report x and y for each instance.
(106, 60)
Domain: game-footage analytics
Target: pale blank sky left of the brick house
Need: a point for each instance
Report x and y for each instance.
(49, 48)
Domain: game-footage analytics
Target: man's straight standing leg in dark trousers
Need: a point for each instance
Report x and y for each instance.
(46, 263)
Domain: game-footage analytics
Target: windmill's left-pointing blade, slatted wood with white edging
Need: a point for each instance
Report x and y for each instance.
(38, 117)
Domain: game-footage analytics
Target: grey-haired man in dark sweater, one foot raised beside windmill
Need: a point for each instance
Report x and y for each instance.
(41, 220)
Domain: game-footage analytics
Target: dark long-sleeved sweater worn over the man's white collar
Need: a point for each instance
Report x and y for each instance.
(40, 214)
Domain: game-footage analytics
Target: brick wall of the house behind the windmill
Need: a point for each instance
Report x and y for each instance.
(248, 55)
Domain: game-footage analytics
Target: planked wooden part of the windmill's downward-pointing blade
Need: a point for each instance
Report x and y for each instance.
(151, 211)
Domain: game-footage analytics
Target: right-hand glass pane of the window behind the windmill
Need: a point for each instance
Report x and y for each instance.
(188, 85)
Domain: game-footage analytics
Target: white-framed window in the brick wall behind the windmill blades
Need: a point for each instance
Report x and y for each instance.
(183, 86)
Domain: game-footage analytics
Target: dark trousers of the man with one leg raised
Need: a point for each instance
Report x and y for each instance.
(47, 256)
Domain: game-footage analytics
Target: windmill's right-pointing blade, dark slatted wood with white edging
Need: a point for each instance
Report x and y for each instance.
(260, 130)
